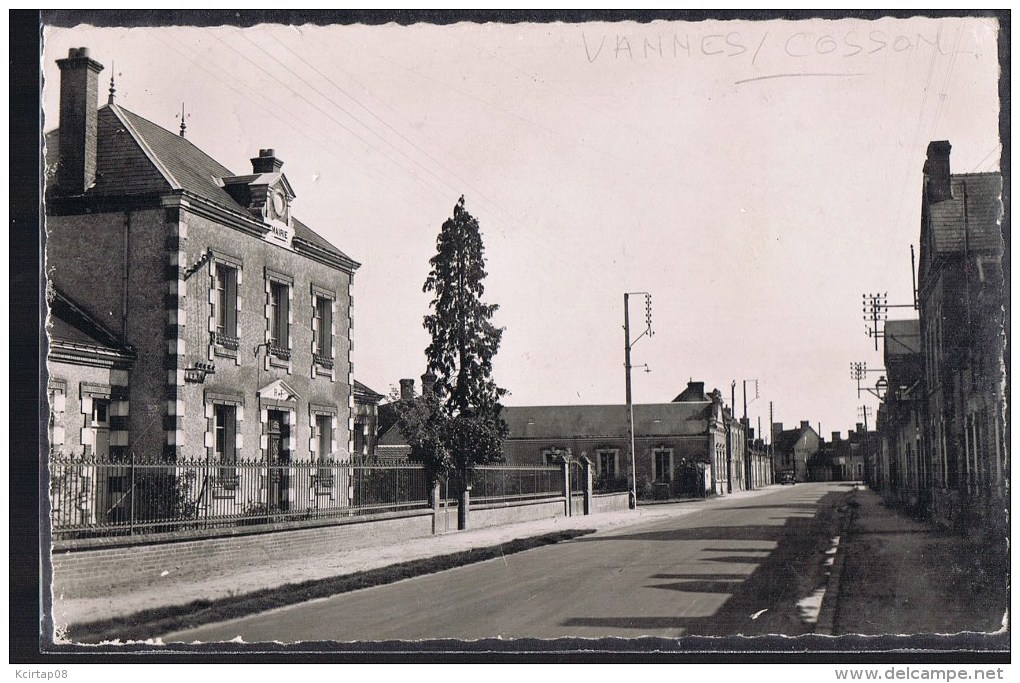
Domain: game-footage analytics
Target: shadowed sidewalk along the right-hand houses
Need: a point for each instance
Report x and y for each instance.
(901, 576)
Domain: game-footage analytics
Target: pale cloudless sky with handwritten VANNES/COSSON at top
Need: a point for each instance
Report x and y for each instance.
(755, 178)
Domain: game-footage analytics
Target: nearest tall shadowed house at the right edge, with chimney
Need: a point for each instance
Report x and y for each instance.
(961, 300)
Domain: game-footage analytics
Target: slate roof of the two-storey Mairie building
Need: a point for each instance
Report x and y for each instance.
(136, 156)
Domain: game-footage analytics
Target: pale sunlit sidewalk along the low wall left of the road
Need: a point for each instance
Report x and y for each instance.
(174, 591)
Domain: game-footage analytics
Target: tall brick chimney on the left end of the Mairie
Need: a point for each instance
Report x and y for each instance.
(79, 122)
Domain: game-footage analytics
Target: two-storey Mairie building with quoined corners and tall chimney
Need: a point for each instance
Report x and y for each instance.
(225, 321)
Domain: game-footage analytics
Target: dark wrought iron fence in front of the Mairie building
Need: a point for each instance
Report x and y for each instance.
(97, 498)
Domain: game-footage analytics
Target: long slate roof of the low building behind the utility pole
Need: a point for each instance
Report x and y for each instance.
(673, 419)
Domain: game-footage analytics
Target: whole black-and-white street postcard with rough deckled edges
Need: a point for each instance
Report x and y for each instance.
(677, 333)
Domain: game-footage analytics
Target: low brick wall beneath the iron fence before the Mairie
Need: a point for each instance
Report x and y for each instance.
(95, 571)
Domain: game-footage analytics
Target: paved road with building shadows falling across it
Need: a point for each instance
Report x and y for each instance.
(737, 566)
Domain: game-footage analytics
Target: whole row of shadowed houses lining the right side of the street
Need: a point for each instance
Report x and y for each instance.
(942, 422)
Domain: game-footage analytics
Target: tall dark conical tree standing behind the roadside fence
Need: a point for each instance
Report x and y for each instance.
(457, 425)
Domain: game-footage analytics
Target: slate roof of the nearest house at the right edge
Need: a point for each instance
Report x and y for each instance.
(978, 197)
